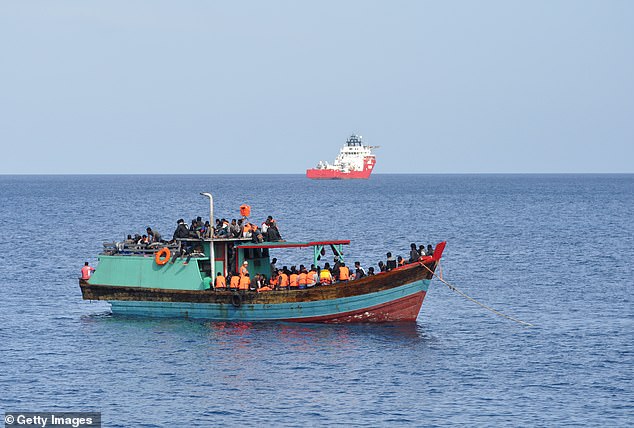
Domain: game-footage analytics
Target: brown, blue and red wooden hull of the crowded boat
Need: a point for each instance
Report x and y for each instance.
(388, 297)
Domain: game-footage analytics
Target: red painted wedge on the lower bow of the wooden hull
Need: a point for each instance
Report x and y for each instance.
(403, 309)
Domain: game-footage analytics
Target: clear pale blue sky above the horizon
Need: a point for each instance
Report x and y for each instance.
(275, 86)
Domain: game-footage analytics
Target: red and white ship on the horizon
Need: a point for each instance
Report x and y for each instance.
(355, 160)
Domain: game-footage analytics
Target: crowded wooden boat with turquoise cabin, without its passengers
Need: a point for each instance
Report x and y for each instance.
(134, 283)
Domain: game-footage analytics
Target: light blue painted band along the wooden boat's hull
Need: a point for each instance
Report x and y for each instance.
(260, 312)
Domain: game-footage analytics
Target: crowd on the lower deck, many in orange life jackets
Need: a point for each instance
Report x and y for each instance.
(307, 277)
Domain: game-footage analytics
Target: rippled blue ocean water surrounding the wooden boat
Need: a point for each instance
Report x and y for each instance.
(553, 250)
